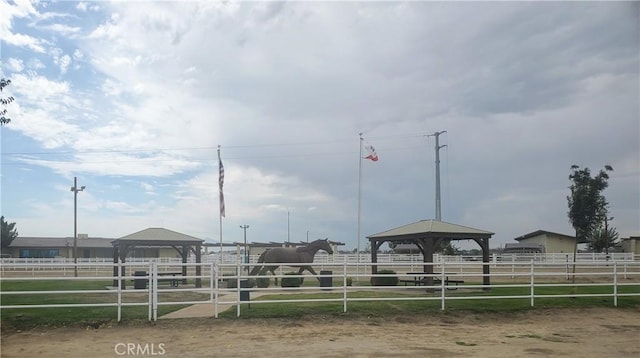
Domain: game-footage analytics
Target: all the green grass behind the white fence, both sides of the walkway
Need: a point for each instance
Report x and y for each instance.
(97, 316)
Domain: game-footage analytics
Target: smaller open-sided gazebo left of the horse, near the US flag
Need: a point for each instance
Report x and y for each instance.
(158, 237)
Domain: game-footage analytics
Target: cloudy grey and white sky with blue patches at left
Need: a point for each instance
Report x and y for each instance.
(134, 98)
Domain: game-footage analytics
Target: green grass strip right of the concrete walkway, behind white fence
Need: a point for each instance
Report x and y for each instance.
(414, 307)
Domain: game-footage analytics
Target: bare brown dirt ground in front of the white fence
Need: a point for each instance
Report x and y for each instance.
(596, 332)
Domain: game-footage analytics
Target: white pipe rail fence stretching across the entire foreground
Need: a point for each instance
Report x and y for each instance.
(621, 276)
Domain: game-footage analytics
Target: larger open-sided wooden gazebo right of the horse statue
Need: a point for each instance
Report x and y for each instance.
(426, 235)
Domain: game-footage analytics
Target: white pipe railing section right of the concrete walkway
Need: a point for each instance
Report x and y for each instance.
(532, 275)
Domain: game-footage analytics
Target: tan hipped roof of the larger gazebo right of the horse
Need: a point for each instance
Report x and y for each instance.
(431, 229)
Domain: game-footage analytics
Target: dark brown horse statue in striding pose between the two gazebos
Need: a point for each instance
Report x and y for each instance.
(290, 256)
